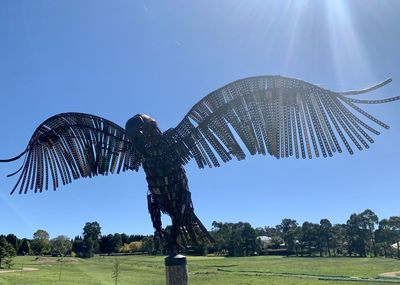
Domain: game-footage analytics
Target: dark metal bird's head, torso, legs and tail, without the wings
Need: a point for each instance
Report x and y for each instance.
(168, 185)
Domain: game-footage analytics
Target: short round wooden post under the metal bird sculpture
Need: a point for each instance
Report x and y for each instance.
(176, 270)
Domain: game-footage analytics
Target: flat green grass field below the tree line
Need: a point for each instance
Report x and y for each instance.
(204, 270)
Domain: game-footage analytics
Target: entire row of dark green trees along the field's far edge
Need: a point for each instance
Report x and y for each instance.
(362, 235)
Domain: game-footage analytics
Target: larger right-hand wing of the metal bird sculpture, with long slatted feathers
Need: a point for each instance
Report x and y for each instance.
(276, 115)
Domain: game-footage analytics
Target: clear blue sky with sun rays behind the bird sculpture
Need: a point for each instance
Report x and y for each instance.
(117, 59)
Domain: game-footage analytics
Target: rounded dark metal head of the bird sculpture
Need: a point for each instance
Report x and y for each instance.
(141, 126)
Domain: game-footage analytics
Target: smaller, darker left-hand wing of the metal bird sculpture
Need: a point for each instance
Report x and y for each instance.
(74, 145)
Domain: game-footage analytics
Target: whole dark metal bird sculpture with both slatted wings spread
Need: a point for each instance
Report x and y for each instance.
(265, 114)
